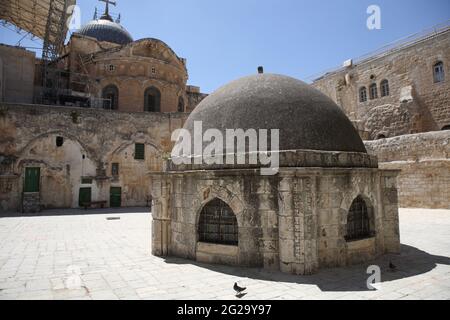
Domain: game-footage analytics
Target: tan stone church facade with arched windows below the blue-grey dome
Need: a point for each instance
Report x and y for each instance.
(142, 76)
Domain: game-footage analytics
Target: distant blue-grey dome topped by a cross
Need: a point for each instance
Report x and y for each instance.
(106, 30)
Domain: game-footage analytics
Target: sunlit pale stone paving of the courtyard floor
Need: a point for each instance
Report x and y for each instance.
(74, 254)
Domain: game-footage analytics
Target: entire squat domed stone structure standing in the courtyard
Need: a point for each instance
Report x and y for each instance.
(328, 205)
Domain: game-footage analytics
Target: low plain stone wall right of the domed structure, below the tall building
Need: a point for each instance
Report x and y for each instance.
(424, 181)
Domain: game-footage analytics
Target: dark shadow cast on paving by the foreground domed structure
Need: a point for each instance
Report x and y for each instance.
(409, 263)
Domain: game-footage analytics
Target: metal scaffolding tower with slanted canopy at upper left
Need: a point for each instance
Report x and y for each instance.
(47, 20)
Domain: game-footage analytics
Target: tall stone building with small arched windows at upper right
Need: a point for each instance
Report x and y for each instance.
(404, 90)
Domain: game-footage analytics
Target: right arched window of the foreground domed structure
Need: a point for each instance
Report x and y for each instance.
(359, 221)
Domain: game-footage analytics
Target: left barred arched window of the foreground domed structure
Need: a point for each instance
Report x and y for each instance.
(218, 224)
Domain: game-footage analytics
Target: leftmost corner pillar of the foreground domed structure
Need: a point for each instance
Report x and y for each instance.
(161, 217)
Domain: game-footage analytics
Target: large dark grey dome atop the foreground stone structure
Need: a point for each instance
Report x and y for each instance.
(307, 119)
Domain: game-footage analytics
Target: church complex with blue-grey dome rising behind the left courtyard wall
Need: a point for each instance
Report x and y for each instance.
(101, 67)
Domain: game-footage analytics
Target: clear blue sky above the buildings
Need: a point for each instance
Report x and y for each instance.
(224, 40)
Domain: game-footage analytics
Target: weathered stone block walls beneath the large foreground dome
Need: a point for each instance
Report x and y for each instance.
(295, 222)
